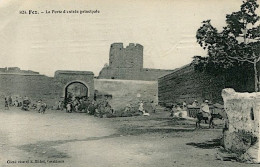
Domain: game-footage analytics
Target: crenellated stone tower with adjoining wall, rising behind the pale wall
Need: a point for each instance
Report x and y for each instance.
(127, 64)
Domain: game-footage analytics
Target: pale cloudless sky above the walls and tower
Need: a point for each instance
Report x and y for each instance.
(49, 42)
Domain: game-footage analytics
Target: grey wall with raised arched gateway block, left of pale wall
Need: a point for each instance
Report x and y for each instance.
(37, 86)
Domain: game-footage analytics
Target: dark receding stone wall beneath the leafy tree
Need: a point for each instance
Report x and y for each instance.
(188, 84)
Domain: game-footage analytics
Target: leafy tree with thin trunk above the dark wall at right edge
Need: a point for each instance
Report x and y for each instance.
(238, 44)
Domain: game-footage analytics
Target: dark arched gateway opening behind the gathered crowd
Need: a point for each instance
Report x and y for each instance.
(75, 90)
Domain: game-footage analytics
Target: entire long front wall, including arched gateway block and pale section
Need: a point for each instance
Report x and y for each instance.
(52, 89)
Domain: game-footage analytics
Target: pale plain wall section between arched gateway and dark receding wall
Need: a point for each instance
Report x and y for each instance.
(127, 91)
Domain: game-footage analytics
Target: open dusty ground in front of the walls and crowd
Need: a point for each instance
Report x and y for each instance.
(81, 140)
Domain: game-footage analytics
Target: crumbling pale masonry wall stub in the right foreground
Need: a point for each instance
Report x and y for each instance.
(242, 133)
